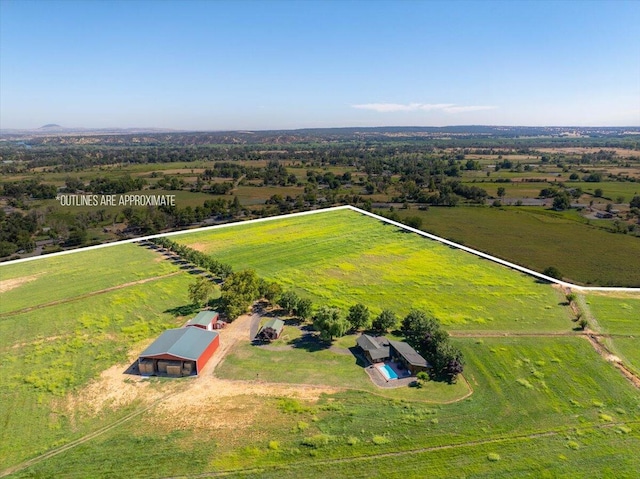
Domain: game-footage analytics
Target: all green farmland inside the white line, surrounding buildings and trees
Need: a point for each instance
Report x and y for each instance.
(544, 405)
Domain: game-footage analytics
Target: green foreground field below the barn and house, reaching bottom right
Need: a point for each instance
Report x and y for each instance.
(543, 406)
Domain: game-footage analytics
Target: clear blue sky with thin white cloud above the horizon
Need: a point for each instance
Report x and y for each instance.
(211, 65)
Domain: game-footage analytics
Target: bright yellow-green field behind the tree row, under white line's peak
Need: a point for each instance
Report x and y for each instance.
(341, 258)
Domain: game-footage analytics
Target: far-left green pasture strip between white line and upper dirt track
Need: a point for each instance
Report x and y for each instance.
(68, 276)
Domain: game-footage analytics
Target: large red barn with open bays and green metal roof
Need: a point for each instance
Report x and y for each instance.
(179, 352)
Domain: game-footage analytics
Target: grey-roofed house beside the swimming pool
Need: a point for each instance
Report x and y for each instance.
(381, 349)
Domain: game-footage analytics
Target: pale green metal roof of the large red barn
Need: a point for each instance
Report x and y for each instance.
(184, 343)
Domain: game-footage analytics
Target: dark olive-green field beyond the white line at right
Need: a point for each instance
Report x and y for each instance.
(537, 239)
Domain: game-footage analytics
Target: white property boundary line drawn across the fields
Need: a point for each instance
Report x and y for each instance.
(514, 266)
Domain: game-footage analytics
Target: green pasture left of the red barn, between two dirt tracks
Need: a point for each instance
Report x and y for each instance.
(48, 354)
